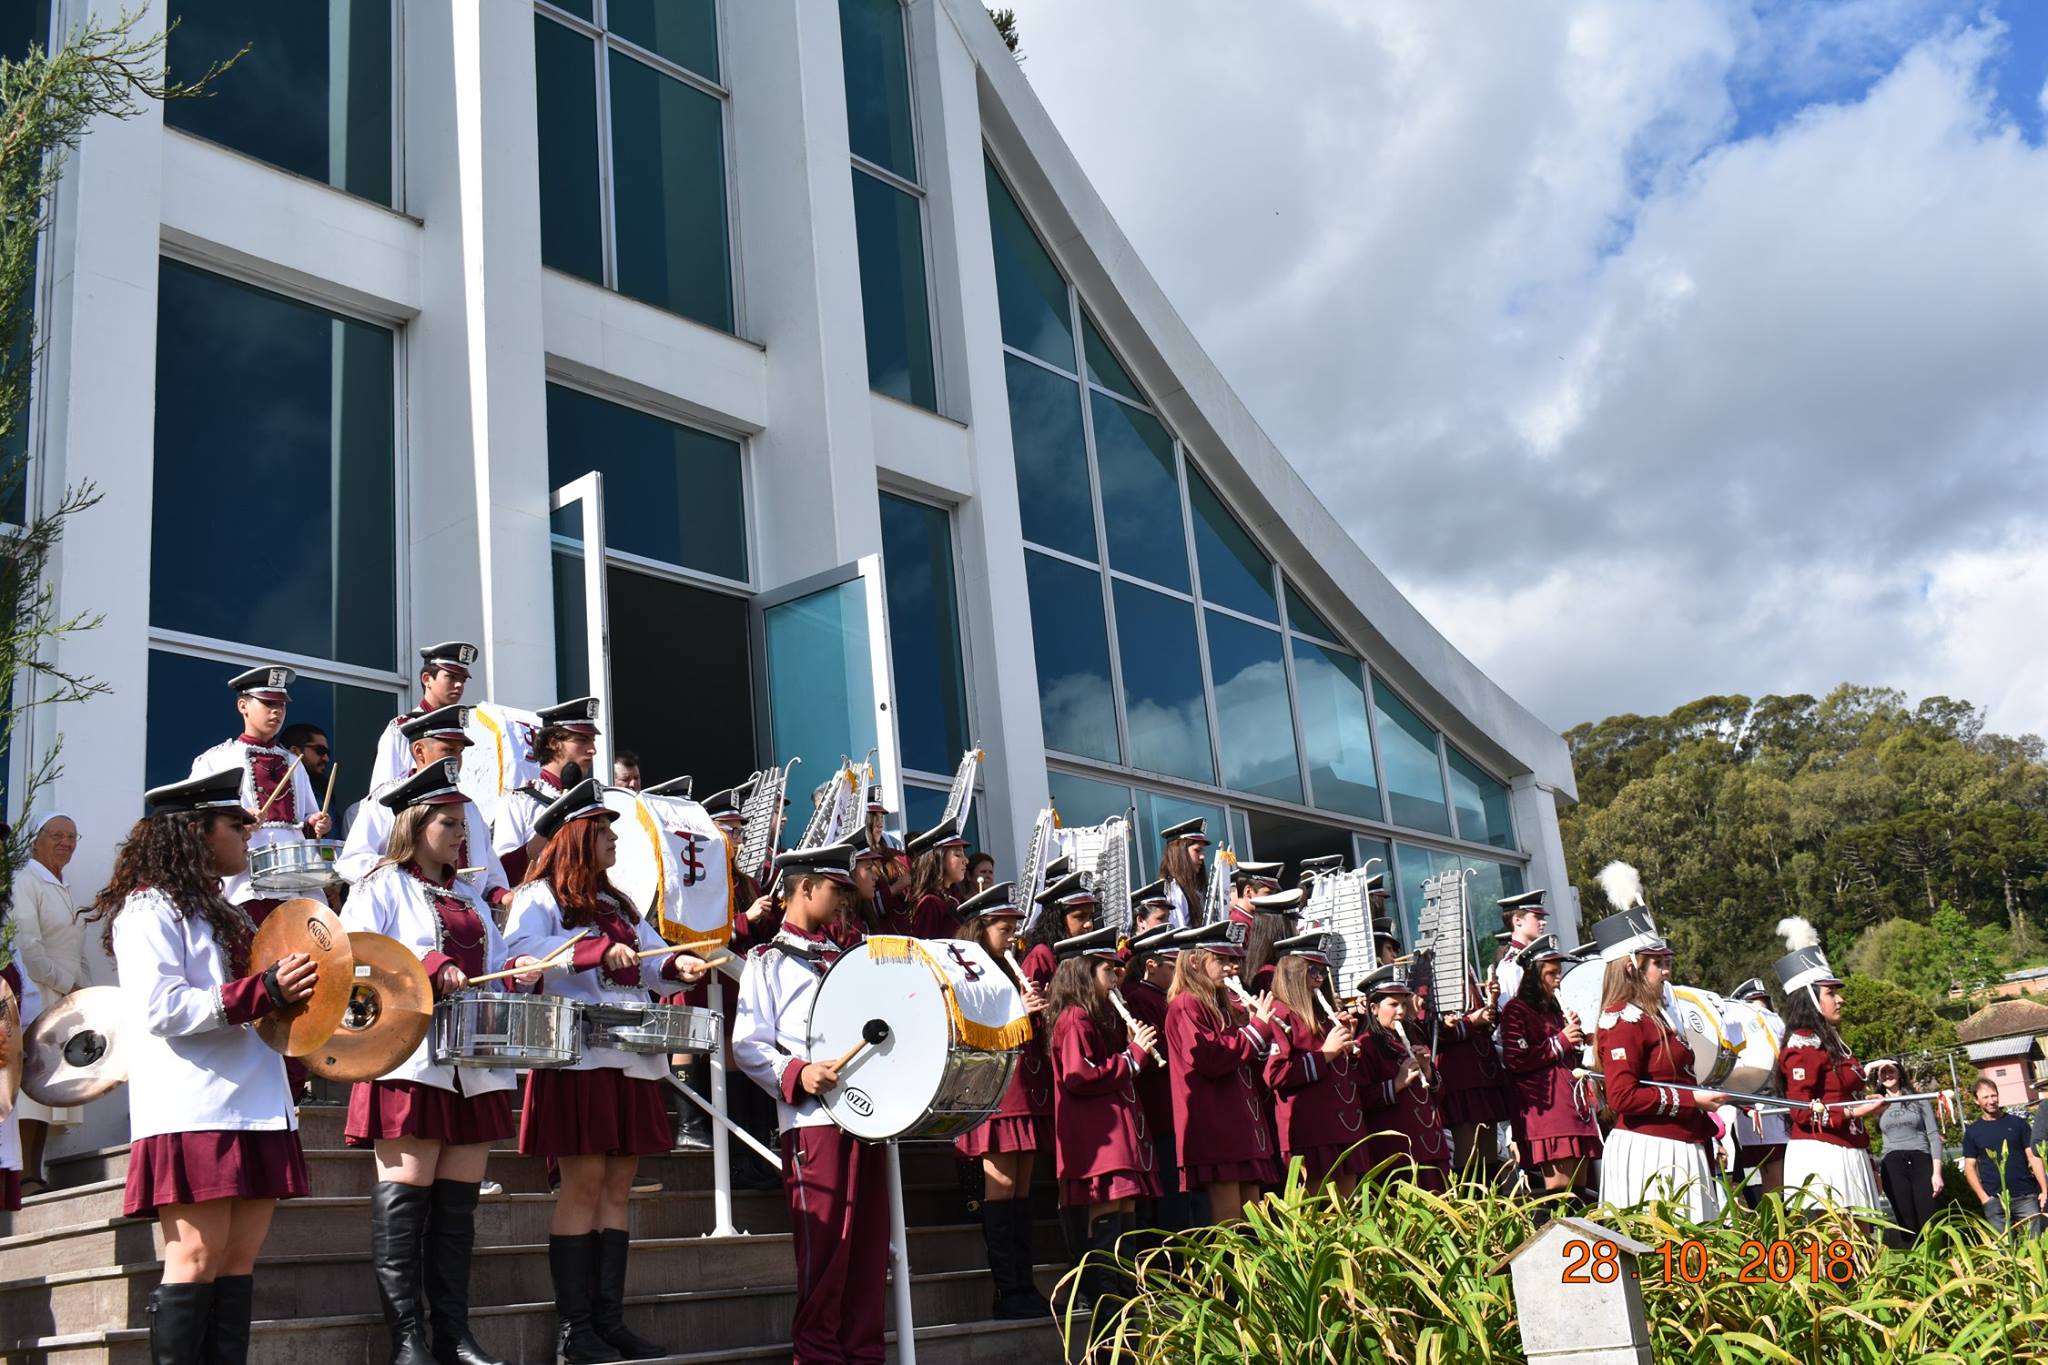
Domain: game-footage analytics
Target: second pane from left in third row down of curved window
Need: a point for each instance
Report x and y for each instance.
(1164, 709)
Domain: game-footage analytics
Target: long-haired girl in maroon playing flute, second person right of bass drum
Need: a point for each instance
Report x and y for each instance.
(1103, 1147)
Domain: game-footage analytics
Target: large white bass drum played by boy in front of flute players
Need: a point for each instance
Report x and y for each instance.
(955, 1026)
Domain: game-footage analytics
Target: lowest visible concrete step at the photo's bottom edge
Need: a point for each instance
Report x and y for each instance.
(703, 1325)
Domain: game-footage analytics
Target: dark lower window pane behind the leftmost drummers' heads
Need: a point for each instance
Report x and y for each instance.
(191, 711)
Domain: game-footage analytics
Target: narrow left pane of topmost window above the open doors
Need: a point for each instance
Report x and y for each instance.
(566, 118)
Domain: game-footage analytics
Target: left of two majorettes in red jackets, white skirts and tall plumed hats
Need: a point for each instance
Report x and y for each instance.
(1658, 1147)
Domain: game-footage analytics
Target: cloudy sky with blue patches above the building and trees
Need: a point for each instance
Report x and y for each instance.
(1654, 349)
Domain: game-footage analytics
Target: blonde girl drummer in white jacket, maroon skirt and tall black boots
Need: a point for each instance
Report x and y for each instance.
(431, 1127)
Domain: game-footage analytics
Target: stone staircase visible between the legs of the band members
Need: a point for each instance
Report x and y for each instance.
(75, 1274)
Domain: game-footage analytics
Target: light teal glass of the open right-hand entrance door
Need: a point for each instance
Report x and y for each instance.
(820, 685)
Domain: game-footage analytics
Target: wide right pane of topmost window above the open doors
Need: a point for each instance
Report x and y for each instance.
(669, 195)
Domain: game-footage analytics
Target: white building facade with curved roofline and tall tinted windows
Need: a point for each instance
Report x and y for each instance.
(763, 365)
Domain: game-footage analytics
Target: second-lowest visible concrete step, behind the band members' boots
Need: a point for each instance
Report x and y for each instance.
(339, 1282)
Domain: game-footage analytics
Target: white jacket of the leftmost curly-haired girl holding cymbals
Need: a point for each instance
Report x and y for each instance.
(189, 1067)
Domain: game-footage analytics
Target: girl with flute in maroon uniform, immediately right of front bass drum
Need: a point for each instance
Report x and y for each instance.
(1009, 1141)
